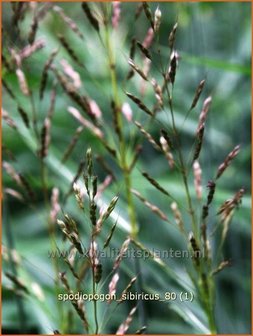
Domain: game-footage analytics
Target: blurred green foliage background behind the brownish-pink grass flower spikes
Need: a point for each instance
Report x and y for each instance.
(214, 42)
